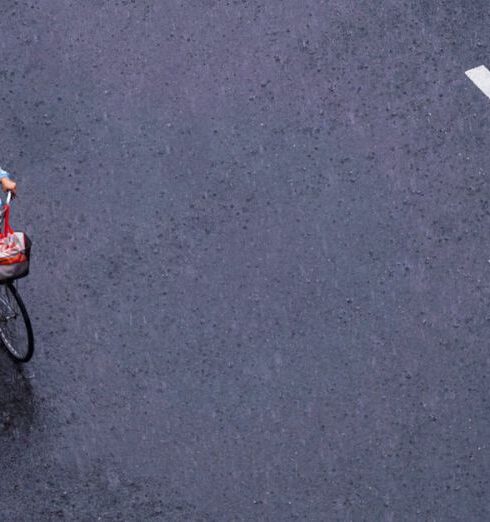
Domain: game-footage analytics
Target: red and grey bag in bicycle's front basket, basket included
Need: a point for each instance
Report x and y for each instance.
(15, 251)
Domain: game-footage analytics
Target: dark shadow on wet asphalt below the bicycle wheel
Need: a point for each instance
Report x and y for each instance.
(17, 405)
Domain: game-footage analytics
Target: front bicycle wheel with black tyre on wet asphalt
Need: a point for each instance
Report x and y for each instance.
(15, 325)
